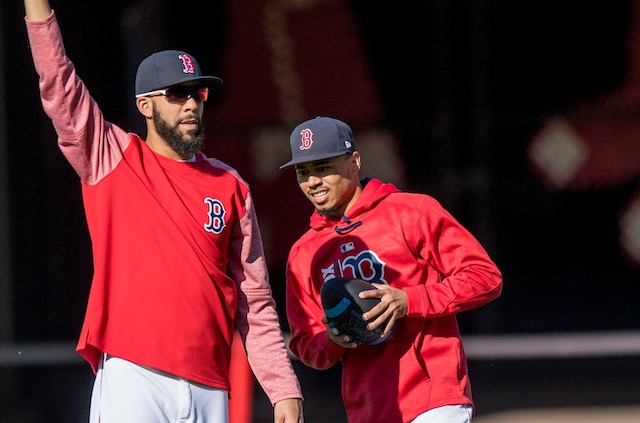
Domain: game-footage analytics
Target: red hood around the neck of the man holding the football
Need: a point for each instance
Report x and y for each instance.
(372, 193)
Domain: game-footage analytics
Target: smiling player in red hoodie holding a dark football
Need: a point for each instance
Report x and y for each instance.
(426, 268)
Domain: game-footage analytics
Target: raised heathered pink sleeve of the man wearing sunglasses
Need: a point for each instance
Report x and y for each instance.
(92, 145)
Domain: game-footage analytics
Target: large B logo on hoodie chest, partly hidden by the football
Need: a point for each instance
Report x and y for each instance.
(365, 265)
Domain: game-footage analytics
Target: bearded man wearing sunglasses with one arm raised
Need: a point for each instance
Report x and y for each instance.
(177, 255)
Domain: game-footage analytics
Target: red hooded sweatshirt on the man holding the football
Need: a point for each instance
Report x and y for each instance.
(408, 241)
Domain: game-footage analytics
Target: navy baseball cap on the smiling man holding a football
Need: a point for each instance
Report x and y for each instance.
(320, 138)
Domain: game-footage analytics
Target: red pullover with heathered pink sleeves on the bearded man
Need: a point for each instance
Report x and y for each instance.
(178, 258)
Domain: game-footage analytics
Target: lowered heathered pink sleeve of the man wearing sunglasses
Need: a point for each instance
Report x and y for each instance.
(257, 319)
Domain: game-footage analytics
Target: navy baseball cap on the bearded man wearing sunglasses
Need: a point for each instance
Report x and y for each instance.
(170, 67)
